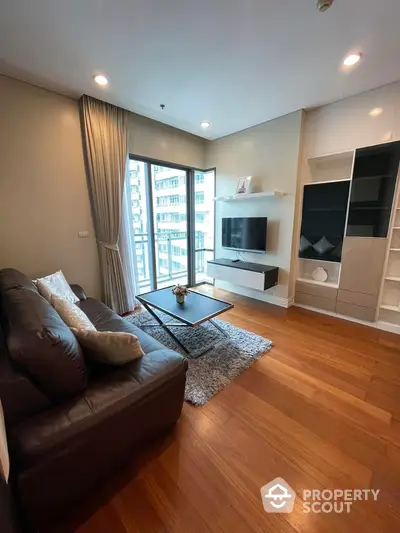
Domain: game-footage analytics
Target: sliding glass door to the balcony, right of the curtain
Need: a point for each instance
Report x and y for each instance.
(173, 222)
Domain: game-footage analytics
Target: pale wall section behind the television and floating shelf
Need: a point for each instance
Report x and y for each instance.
(270, 153)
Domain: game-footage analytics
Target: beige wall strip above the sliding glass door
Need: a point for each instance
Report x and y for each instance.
(148, 138)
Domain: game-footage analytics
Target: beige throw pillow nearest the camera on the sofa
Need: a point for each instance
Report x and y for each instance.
(109, 347)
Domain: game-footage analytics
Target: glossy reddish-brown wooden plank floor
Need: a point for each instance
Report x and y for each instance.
(321, 410)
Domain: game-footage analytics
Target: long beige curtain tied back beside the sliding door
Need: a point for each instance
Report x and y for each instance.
(105, 130)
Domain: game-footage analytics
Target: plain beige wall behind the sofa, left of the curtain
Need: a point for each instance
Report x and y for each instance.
(44, 200)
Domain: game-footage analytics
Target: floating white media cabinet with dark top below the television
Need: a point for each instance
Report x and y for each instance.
(250, 275)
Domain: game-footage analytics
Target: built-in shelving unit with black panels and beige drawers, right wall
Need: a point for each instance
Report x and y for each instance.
(364, 276)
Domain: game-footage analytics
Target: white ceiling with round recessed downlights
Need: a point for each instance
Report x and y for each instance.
(235, 62)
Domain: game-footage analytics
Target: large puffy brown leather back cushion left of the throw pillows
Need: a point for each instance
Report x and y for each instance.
(40, 344)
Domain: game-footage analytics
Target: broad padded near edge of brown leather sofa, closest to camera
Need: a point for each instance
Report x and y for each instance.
(66, 425)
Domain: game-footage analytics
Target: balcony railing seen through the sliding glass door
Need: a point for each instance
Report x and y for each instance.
(166, 260)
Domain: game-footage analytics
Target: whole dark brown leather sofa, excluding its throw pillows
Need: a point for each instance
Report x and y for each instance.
(70, 425)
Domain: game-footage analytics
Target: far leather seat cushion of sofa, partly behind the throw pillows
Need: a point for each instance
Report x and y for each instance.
(104, 319)
